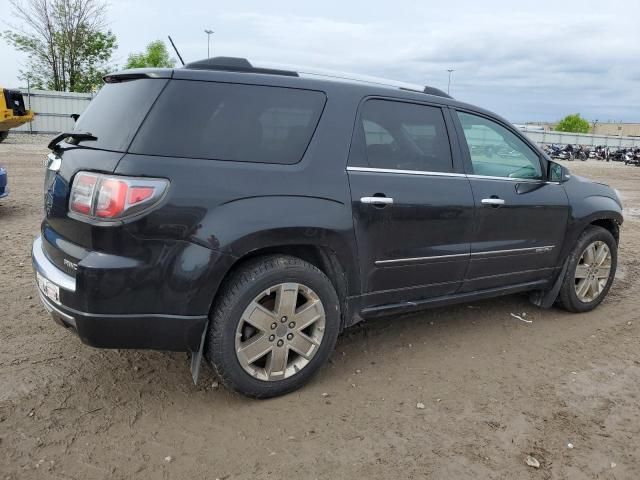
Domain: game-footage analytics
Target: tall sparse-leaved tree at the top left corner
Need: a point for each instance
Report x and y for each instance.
(66, 41)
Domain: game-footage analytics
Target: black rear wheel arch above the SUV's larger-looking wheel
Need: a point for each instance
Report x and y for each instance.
(317, 230)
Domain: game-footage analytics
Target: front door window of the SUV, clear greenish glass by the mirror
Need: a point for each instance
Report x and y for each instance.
(497, 152)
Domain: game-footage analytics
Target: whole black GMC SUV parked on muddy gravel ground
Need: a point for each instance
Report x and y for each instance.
(250, 214)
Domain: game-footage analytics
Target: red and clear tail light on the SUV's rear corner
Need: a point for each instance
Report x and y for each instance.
(112, 197)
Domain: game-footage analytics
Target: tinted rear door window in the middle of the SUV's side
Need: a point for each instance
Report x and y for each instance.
(405, 136)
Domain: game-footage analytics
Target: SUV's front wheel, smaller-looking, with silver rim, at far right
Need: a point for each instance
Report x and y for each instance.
(591, 270)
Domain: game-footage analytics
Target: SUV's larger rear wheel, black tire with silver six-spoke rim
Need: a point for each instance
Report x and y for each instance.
(265, 280)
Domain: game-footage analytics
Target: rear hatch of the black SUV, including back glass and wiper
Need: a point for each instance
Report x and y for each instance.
(112, 120)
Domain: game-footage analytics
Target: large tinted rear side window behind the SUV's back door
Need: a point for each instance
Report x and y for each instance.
(220, 121)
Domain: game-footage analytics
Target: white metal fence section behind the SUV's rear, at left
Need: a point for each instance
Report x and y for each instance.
(52, 110)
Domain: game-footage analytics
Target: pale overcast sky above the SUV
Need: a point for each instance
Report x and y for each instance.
(525, 60)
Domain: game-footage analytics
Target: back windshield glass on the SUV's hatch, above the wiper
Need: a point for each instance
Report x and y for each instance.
(115, 114)
